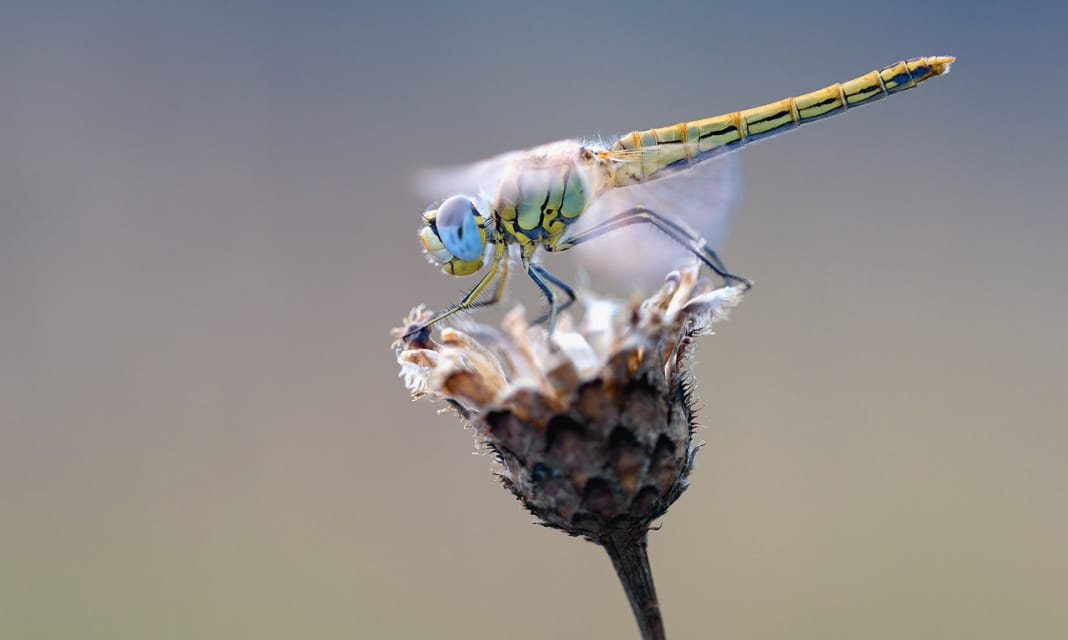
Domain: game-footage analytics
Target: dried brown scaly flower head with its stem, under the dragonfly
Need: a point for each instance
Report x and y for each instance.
(593, 429)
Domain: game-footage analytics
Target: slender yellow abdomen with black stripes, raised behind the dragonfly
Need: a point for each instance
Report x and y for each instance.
(669, 149)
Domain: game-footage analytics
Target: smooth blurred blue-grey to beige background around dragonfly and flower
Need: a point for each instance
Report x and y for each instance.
(208, 230)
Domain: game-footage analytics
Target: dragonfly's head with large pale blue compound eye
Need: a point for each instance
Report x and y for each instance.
(454, 236)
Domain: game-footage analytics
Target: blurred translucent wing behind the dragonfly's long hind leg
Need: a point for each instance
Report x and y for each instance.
(704, 197)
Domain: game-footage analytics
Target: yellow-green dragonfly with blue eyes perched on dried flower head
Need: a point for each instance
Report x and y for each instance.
(535, 200)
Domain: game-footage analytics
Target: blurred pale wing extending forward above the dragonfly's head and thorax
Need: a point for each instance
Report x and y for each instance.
(482, 177)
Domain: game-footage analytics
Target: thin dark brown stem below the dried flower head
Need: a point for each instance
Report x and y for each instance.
(632, 561)
